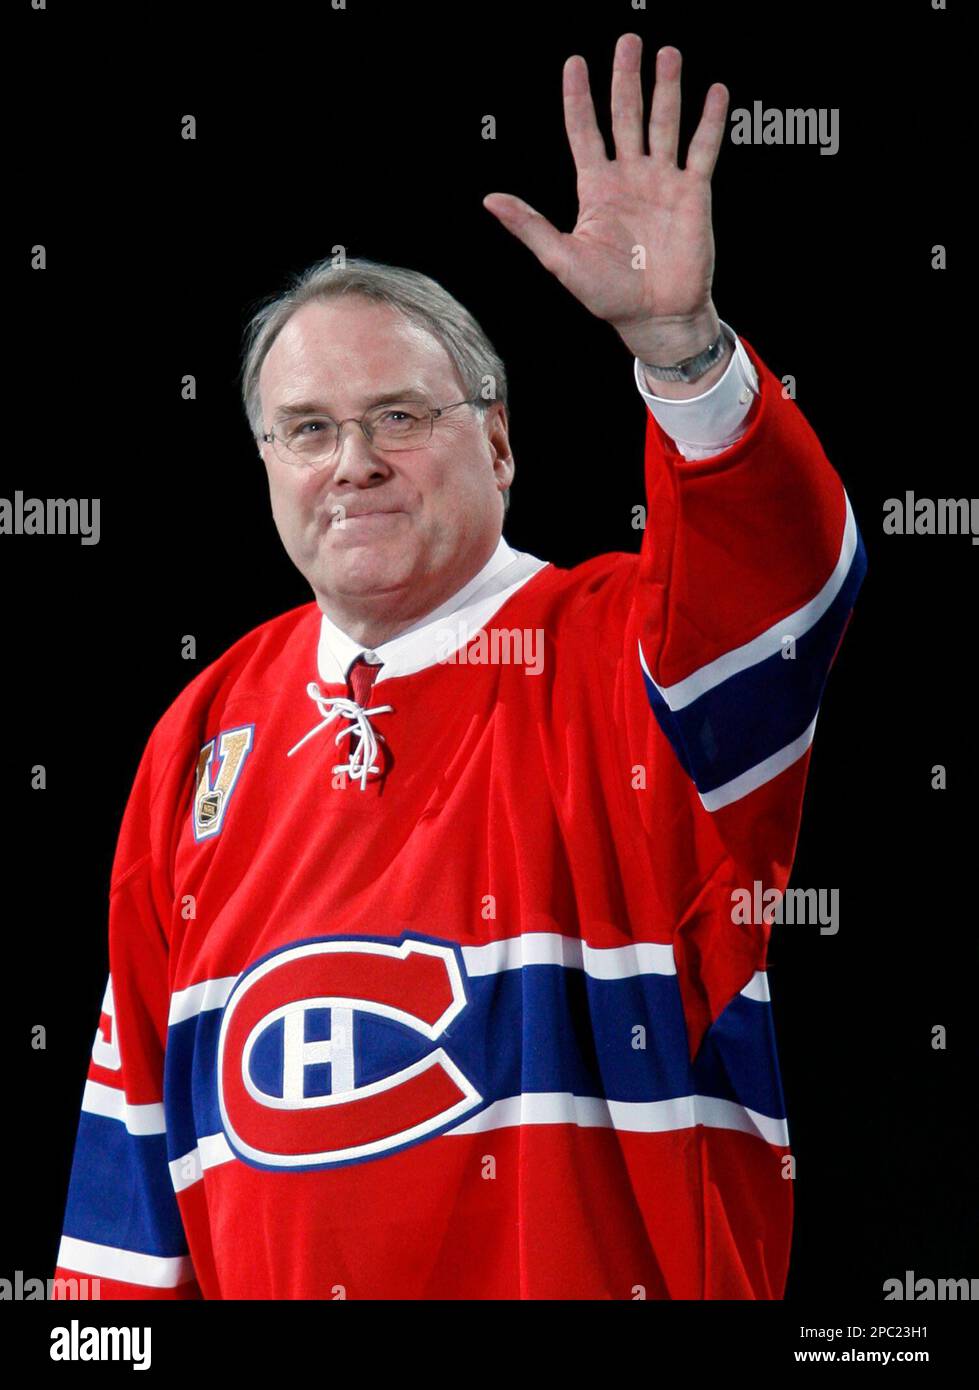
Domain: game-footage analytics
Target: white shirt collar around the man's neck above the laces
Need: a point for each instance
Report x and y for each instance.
(440, 632)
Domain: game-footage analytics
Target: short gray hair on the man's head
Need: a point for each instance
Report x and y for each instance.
(419, 298)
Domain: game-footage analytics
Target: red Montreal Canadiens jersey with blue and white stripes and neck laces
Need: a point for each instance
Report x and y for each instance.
(479, 1022)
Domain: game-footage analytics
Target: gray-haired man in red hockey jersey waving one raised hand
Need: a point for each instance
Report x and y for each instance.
(425, 974)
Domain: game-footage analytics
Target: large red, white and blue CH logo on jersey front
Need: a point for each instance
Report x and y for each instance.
(330, 1053)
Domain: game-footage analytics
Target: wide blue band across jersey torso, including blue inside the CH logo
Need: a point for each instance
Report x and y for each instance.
(540, 1028)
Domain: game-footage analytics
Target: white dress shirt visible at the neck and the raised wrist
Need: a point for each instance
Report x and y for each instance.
(700, 426)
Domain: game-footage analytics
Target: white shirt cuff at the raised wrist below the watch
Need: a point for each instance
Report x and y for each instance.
(710, 423)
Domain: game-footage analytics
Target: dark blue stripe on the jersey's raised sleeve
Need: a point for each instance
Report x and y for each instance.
(754, 714)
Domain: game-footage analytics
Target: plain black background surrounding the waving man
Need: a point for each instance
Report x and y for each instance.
(364, 129)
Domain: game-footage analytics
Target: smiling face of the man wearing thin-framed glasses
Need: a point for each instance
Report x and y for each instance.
(382, 532)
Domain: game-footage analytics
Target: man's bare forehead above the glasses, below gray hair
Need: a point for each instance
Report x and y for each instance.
(346, 351)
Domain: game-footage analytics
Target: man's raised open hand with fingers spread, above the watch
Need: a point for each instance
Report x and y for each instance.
(663, 297)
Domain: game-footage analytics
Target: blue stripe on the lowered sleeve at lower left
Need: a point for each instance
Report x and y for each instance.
(120, 1192)
